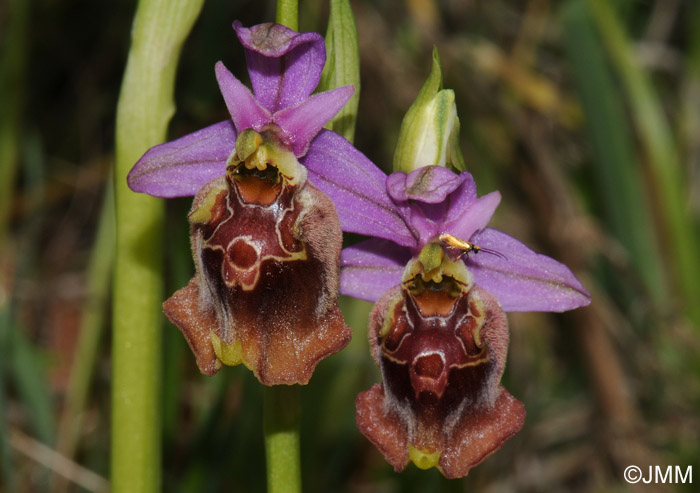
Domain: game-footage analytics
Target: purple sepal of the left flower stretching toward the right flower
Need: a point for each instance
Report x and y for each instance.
(356, 186)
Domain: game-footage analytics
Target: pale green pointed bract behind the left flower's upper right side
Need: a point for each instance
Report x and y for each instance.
(342, 65)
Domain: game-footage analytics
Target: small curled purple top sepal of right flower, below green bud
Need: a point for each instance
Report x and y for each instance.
(431, 184)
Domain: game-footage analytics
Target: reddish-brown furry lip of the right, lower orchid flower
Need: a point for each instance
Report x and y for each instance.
(441, 344)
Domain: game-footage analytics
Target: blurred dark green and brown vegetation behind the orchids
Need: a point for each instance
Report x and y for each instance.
(585, 114)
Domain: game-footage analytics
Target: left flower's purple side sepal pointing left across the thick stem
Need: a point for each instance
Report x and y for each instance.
(181, 167)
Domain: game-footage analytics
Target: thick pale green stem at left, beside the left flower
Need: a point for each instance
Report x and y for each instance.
(144, 110)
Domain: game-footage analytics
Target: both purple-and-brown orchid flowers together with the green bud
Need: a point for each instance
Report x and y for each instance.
(273, 190)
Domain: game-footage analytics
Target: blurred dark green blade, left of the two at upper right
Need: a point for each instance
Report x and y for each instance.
(625, 205)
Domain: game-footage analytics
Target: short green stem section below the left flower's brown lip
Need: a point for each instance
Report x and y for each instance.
(281, 417)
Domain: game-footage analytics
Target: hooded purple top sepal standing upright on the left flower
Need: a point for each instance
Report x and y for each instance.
(284, 66)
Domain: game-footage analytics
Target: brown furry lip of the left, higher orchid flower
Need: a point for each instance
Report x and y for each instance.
(266, 245)
